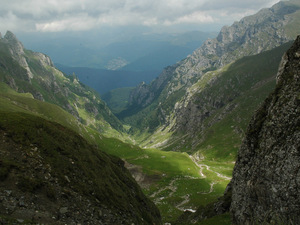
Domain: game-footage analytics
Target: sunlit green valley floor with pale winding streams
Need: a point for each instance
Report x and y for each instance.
(175, 181)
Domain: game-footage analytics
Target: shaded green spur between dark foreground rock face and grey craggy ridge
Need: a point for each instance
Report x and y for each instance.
(227, 96)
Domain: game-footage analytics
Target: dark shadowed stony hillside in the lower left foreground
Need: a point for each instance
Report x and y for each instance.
(49, 174)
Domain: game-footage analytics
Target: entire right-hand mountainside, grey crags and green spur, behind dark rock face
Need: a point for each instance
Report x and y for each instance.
(179, 99)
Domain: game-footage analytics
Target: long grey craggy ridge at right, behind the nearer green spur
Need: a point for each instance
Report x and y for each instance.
(151, 107)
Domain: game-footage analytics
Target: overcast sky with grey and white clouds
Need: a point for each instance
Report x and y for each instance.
(82, 15)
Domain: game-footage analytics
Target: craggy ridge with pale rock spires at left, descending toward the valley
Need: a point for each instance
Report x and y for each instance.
(27, 71)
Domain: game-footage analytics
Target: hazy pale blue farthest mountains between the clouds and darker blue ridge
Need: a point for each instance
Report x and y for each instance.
(138, 51)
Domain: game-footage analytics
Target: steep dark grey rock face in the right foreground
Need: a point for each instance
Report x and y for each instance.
(266, 177)
